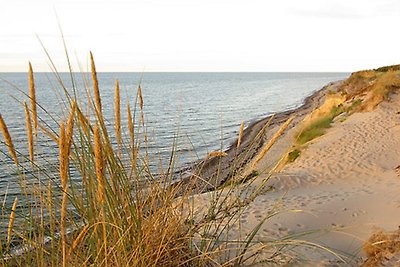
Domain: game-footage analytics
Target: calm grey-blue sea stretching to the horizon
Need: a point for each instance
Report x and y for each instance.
(203, 109)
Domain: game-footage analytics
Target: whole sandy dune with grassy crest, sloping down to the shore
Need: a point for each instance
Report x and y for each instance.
(334, 173)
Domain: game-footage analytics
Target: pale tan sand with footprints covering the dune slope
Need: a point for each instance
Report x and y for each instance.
(344, 186)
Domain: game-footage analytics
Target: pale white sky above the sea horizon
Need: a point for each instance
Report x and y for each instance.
(206, 35)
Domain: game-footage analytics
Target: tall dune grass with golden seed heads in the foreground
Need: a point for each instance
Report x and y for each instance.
(120, 212)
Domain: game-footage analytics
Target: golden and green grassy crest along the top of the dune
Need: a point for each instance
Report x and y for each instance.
(362, 91)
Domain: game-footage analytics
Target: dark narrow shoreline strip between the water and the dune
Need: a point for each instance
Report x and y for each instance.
(214, 172)
